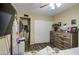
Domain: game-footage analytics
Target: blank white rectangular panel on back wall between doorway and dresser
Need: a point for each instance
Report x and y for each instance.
(42, 31)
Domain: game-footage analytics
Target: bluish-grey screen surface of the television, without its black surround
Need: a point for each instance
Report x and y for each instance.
(4, 21)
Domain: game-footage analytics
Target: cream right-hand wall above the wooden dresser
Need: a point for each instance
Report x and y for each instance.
(67, 15)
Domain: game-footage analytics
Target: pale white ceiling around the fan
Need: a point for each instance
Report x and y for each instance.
(34, 8)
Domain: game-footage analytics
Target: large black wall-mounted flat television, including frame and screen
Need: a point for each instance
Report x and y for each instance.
(7, 14)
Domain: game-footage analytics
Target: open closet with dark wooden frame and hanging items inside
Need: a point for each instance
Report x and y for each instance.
(24, 28)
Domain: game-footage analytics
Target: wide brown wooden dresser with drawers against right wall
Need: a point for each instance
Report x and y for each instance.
(63, 40)
